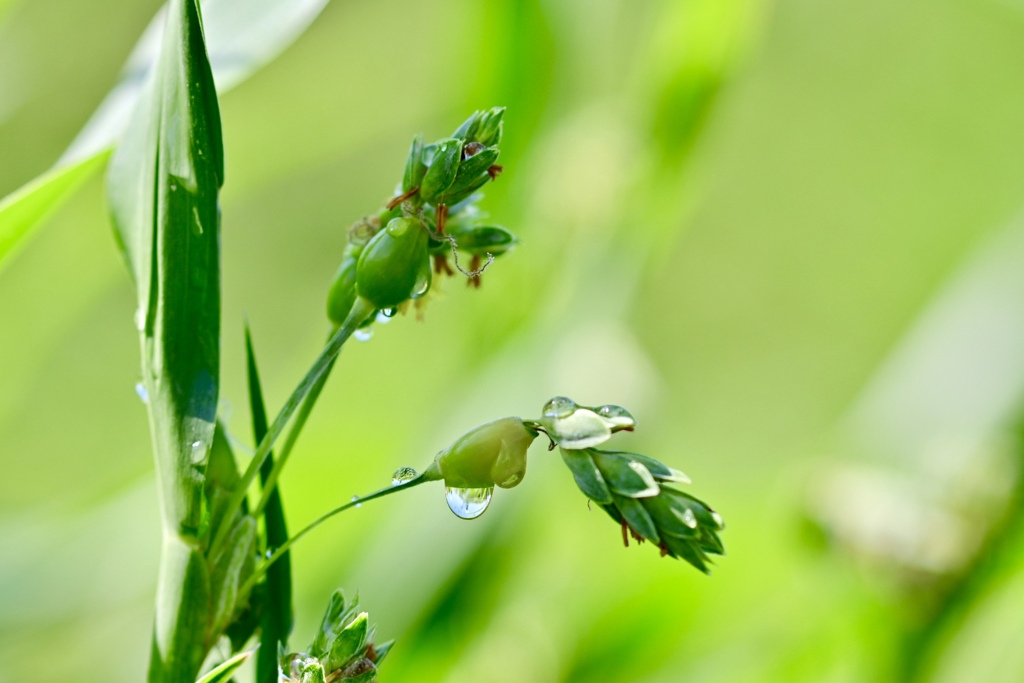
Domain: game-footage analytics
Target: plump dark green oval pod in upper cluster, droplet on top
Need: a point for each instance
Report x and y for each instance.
(395, 267)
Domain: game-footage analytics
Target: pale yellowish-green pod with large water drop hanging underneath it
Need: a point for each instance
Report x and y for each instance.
(492, 454)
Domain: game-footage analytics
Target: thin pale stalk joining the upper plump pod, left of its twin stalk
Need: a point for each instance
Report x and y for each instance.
(361, 312)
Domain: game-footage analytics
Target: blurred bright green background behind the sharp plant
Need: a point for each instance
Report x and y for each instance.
(788, 236)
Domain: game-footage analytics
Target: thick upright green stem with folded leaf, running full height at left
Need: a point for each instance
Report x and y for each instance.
(163, 188)
